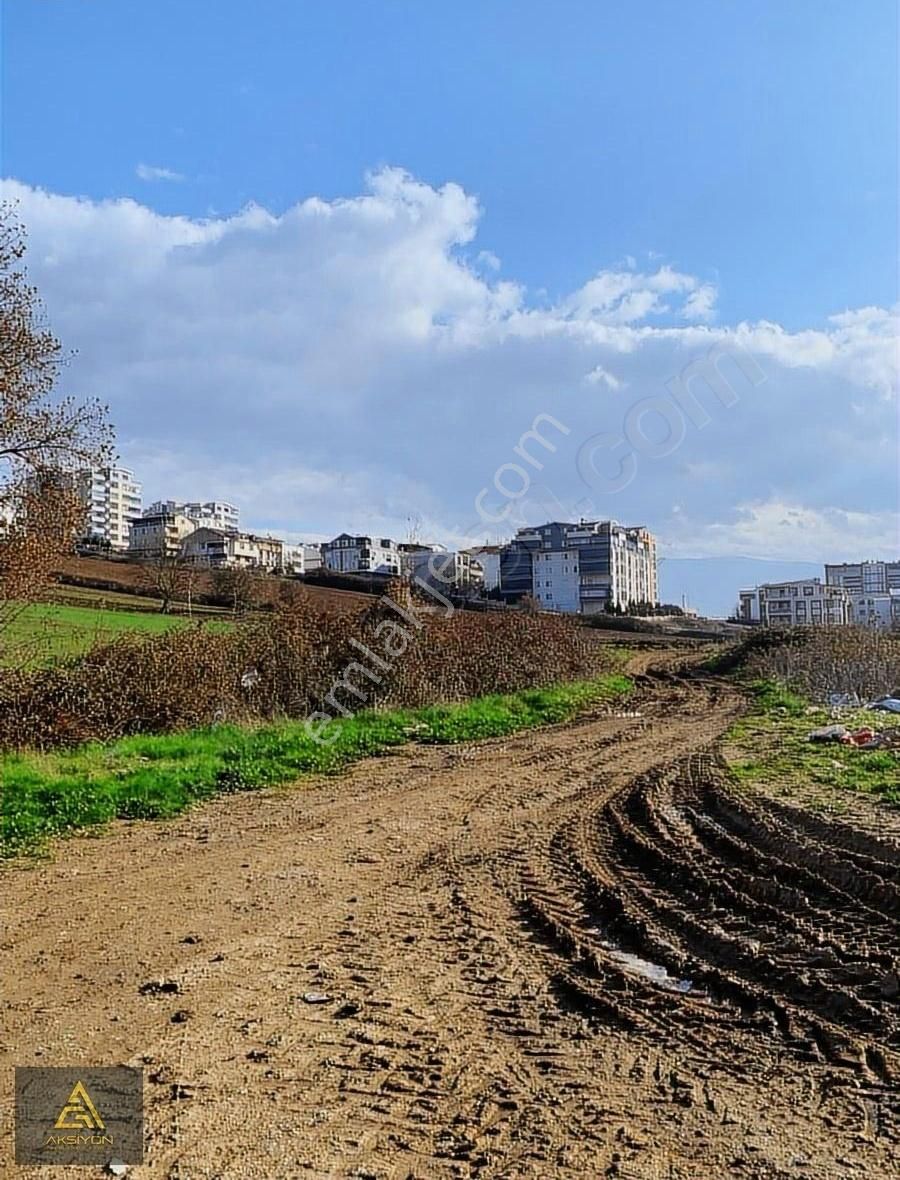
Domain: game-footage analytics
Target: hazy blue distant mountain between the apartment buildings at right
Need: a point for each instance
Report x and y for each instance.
(711, 585)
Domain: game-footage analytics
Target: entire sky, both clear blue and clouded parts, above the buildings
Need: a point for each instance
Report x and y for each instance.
(333, 261)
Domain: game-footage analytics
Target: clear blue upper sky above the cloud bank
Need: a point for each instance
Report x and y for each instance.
(751, 143)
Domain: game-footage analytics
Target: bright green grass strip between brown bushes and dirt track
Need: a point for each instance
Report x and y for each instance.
(159, 777)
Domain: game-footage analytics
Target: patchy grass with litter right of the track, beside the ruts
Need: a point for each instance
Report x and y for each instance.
(770, 748)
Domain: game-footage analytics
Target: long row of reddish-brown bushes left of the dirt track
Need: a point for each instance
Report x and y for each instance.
(285, 666)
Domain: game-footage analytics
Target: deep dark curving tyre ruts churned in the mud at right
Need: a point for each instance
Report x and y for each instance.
(688, 910)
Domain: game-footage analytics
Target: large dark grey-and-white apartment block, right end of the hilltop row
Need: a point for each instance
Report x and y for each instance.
(581, 568)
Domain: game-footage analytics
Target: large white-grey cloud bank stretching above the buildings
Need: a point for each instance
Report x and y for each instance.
(344, 364)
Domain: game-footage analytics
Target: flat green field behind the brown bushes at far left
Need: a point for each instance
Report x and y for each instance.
(48, 632)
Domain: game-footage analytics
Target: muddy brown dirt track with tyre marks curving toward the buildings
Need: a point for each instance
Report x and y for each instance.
(576, 953)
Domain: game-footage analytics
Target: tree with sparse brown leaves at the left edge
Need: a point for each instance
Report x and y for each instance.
(44, 440)
